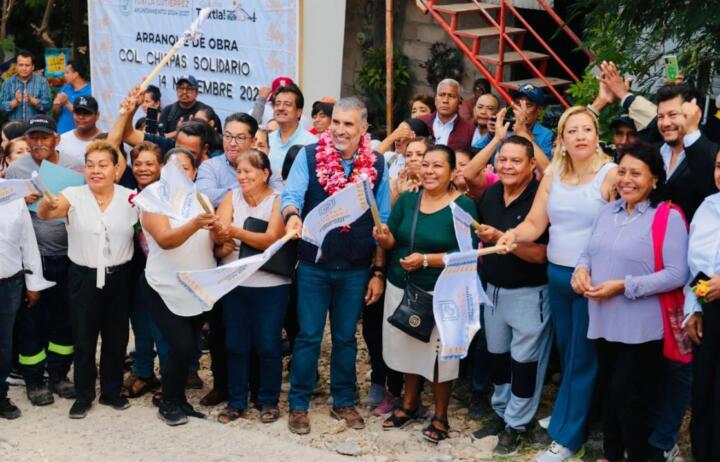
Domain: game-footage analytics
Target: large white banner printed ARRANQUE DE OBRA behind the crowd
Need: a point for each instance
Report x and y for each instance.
(245, 45)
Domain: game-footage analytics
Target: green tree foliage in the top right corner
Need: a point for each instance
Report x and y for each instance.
(636, 34)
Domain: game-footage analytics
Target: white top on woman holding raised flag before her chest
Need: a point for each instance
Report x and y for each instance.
(162, 266)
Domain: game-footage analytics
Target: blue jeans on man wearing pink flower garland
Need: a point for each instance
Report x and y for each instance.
(342, 293)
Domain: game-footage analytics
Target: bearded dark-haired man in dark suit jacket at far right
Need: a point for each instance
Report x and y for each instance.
(688, 154)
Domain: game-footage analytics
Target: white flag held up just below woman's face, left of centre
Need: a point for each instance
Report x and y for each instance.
(172, 195)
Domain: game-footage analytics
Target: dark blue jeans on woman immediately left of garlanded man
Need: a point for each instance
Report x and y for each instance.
(253, 320)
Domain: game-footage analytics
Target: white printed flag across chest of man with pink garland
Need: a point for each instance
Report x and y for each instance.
(340, 209)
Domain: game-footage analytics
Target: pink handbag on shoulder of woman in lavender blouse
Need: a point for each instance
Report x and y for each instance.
(676, 343)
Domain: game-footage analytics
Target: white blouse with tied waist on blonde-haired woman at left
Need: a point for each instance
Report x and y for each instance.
(98, 239)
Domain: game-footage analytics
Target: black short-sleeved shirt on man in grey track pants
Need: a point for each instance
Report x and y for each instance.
(509, 271)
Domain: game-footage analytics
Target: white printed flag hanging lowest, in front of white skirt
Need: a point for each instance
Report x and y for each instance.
(457, 297)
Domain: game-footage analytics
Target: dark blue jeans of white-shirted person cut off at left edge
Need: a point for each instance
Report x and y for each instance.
(11, 291)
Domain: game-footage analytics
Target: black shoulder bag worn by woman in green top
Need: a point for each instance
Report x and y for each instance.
(414, 315)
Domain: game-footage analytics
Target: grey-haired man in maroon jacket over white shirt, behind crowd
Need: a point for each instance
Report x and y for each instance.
(446, 125)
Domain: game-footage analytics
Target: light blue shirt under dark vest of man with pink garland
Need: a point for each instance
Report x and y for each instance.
(299, 178)
